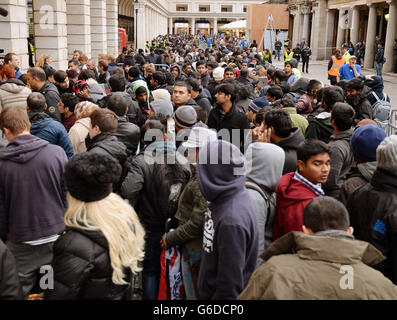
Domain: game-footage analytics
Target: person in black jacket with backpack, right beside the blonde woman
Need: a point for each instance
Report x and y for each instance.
(154, 181)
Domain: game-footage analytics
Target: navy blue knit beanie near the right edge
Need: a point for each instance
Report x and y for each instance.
(364, 142)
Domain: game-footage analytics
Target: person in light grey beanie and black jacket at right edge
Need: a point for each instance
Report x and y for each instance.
(373, 207)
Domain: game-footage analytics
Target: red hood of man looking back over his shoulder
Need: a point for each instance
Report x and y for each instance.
(293, 190)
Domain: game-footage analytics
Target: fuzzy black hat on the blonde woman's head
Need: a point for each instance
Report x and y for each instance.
(89, 176)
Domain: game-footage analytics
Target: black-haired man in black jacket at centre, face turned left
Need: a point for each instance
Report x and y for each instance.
(226, 116)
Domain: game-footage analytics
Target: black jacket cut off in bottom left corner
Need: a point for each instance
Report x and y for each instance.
(10, 288)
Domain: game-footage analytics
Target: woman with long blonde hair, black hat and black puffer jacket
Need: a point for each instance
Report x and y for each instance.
(103, 243)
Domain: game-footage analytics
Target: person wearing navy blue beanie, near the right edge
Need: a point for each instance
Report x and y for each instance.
(363, 144)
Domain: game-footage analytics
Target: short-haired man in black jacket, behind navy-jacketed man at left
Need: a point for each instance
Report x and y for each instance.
(37, 81)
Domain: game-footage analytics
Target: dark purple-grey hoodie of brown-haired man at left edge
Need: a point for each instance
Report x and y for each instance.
(32, 191)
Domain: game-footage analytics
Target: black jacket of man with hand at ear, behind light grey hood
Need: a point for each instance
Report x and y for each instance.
(290, 146)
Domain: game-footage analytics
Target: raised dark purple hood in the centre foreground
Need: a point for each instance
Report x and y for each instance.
(221, 170)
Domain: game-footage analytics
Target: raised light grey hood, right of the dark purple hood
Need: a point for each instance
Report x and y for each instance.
(265, 163)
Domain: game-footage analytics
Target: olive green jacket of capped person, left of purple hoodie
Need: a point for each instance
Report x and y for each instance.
(190, 214)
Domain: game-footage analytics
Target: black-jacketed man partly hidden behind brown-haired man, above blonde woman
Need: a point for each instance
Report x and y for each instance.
(127, 133)
